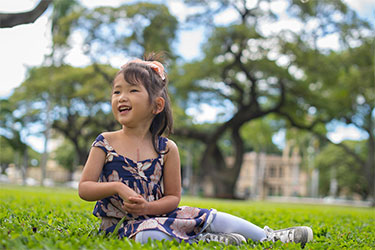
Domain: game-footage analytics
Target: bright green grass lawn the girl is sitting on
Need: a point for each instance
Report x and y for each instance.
(56, 218)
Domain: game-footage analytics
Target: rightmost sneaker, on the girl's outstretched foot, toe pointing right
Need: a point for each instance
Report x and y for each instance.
(293, 234)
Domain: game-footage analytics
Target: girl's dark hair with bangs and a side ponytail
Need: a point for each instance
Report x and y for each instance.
(138, 73)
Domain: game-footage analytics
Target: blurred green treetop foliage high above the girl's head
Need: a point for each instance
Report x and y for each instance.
(130, 29)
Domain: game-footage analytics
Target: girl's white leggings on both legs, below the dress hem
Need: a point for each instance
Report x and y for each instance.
(223, 223)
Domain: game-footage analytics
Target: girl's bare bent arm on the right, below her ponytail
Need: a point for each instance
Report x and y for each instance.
(172, 188)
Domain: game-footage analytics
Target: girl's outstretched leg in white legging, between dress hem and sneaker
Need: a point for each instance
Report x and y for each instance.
(227, 223)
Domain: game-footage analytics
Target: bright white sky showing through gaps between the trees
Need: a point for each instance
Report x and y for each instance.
(26, 45)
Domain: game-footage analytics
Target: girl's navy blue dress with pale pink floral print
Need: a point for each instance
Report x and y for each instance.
(145, 177)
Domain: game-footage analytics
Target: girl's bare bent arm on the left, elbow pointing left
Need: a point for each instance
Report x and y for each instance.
(90, 189)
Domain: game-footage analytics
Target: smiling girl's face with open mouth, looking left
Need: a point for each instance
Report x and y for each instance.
(130, 104)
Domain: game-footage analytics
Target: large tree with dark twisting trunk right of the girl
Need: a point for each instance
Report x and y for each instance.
(252, 72)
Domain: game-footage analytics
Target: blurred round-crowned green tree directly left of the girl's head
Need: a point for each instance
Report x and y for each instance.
(75, 99)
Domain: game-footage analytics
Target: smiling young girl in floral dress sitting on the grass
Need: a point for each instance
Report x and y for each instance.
(134, 173)
